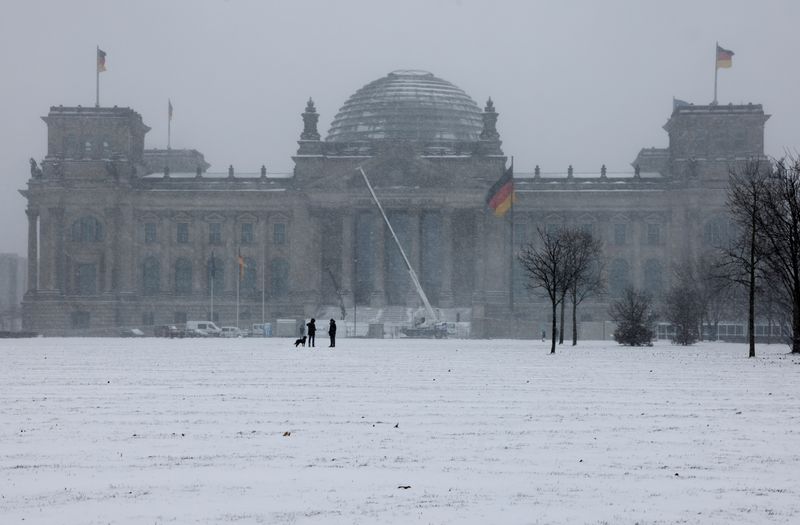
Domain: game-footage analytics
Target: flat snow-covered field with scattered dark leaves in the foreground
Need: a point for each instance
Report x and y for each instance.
(254, 431)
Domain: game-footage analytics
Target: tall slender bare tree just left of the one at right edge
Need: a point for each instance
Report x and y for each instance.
(749, 196)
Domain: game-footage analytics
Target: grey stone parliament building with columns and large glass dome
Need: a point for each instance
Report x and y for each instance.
(116, 240)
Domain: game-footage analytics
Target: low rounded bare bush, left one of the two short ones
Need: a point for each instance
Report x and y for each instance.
(634, 316)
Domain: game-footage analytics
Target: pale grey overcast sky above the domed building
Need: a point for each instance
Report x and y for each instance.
(575, 82)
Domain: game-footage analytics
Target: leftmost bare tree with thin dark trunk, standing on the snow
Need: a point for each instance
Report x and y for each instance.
(546, 269)
